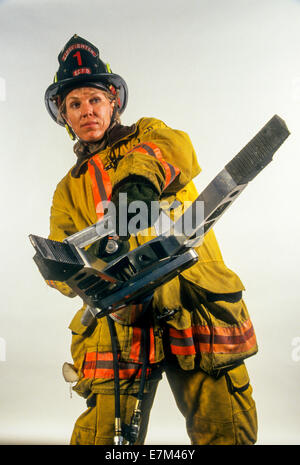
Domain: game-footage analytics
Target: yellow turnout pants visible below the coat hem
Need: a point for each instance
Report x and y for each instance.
(218, 411)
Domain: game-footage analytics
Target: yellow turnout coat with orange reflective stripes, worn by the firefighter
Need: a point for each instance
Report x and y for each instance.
(212, 329)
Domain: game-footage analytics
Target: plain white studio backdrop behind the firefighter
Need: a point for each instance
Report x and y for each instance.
(218, 70)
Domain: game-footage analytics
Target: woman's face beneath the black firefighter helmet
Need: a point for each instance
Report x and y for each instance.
(88, 112)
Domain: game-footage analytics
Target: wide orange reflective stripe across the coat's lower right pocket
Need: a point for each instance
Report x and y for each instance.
(203, 338)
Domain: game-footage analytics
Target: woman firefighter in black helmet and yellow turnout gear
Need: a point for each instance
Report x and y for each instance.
(196, 328)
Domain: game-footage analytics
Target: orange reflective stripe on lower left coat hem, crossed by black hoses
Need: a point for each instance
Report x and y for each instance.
(100, 365)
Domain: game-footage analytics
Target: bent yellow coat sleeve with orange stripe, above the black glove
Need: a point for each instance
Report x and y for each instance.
(165, 156)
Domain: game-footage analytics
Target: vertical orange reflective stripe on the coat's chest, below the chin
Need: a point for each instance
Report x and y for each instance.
(101, 184)
